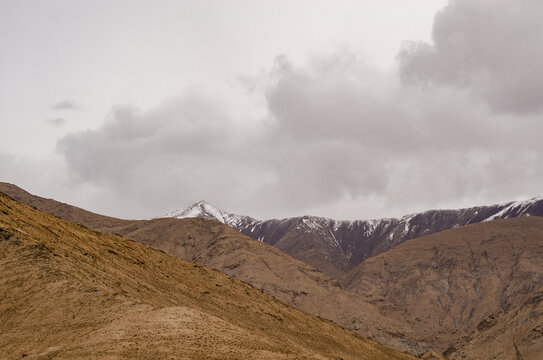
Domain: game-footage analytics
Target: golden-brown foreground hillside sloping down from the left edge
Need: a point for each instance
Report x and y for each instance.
(70, 292)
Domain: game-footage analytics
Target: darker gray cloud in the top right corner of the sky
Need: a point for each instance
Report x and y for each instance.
(493, 48)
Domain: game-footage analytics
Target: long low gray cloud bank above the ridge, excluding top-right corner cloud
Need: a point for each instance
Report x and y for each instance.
(336, 129)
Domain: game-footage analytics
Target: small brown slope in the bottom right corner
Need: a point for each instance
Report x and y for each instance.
(517, 334)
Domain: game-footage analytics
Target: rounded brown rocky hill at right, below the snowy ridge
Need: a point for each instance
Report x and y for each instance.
(443, 285)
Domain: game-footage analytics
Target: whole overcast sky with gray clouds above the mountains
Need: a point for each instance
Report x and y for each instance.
(344, 109)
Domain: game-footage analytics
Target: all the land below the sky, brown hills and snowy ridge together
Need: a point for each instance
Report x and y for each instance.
(456, 284)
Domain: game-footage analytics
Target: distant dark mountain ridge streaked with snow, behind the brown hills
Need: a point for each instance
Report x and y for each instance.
(336, 246)
